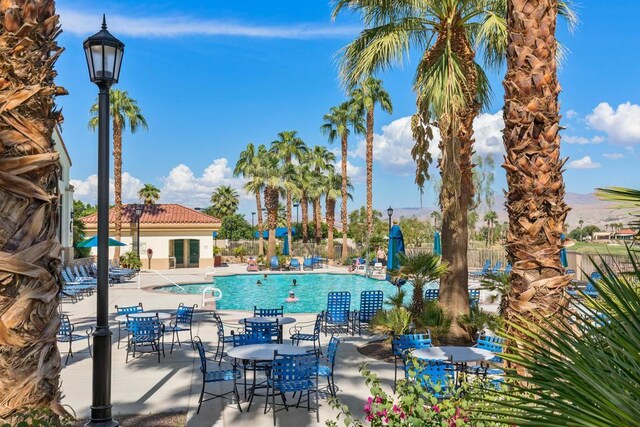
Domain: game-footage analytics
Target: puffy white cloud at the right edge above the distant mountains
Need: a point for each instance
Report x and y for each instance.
(621, 125)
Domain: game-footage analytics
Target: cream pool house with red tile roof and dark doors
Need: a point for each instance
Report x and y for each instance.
(178, 236)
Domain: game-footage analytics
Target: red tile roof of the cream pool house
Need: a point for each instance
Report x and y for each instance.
(158, 214)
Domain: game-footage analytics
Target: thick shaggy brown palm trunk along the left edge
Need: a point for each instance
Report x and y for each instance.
(29, 358)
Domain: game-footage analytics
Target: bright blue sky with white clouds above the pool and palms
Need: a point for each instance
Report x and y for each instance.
(213, 76)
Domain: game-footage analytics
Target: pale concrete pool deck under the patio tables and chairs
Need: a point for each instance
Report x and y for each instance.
(144, 386)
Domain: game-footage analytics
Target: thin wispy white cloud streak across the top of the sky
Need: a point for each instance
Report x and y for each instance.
(85, 23)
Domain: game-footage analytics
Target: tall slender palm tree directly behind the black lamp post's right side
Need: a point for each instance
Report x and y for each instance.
(123, 110)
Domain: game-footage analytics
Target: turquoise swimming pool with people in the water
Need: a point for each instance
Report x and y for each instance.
(240, 292)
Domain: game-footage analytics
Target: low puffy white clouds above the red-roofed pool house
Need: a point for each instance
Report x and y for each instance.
(181, 185)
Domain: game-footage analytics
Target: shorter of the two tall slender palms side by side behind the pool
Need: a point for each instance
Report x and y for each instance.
(337, 125)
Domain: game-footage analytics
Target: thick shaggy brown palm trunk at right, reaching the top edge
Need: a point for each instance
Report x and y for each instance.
(535, 198)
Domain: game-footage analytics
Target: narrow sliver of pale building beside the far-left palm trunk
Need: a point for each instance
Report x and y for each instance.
(65, 202)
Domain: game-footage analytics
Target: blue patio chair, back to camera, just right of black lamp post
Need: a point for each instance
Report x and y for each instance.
(146, 335)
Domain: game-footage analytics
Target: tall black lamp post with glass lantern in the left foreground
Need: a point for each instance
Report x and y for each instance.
(104, 58)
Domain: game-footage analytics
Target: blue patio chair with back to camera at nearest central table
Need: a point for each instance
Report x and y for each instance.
(296, 374)
